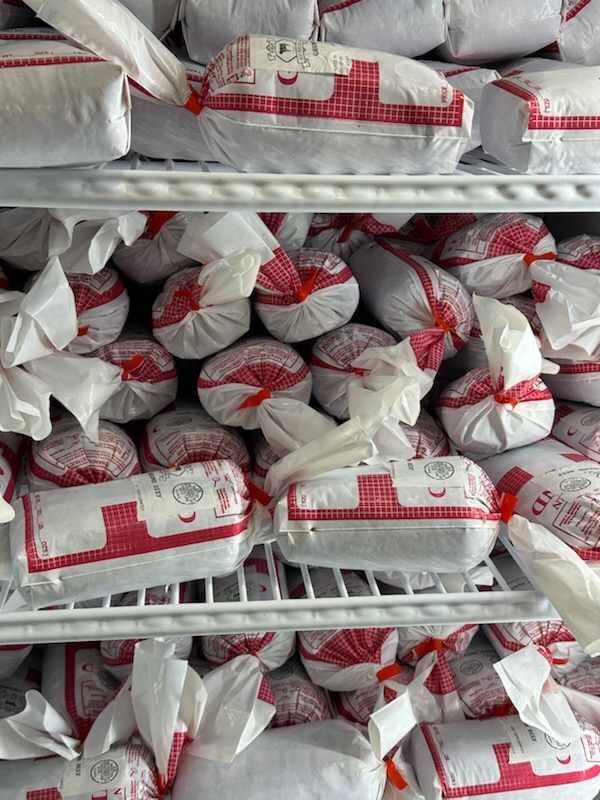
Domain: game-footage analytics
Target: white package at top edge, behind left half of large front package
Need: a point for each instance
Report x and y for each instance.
(207, 28)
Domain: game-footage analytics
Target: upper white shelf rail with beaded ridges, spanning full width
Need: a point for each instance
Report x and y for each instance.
(478, 184)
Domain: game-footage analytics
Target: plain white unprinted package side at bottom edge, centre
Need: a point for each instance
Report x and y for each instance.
(331, 759)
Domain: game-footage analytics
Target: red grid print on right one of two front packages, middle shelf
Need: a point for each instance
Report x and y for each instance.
(378, 499)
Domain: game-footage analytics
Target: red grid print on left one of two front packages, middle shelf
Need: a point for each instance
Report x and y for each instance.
(125, 536)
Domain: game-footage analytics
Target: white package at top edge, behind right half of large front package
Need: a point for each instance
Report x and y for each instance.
(408, 28)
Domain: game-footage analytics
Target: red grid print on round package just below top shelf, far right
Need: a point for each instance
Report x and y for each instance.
(503, 234)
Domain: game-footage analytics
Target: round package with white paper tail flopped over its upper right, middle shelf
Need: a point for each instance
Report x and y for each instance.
(201, 310)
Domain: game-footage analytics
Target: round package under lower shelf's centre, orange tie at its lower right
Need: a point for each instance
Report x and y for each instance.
(346, 659)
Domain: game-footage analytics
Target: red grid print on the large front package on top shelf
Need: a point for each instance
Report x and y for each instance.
(355, 97)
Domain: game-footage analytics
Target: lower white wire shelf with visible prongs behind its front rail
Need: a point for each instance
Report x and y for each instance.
(436, 606)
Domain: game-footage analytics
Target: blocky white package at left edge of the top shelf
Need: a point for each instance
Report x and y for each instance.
(77, 109)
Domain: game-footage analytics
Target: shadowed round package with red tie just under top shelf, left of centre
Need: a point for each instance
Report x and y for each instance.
(154, 256)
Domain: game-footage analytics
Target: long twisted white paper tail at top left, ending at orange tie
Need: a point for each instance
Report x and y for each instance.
(110, 30)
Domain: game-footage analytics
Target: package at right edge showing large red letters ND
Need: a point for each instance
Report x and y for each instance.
(556, 487)
